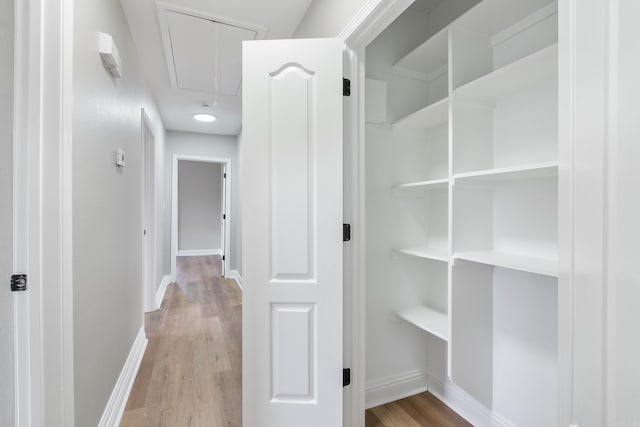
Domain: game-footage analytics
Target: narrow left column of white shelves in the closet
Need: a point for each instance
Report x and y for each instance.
(428, 129)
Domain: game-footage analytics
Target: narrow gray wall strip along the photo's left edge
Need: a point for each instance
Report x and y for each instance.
(6, 214)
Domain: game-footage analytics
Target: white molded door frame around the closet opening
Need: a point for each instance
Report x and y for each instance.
(373, 18)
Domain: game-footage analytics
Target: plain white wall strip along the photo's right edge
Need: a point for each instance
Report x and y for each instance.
(624, 317)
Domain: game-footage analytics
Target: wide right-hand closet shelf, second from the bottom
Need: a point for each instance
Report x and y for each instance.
(512, 173)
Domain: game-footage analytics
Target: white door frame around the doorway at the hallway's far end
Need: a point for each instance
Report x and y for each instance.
(174, 206)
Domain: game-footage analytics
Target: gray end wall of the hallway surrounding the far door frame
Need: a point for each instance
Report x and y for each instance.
(222, 146)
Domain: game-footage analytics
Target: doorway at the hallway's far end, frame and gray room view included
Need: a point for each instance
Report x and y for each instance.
(200, 225)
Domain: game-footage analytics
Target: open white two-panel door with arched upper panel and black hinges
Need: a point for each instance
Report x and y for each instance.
(292, 233)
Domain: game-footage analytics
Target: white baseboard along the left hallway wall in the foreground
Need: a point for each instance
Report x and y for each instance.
(112, 414)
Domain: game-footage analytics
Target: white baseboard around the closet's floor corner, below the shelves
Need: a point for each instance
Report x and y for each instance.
(397, 387)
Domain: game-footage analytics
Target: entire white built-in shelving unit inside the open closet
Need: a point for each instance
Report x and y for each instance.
(494, 117)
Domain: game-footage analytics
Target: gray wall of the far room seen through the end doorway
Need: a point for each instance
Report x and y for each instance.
(199, 205)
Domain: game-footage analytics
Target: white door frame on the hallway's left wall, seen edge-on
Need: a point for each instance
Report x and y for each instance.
(149, 217)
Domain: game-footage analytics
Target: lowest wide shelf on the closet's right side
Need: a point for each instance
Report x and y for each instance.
(529, 264)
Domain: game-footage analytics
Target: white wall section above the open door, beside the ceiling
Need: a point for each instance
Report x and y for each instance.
(326, 18)
